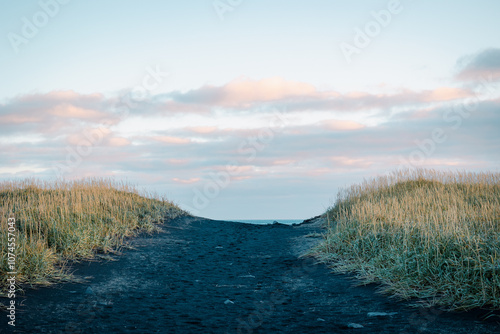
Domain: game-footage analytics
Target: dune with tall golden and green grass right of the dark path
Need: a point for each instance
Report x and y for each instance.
(425, 234)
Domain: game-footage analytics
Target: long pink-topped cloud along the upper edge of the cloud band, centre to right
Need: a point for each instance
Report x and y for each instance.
(300, 96)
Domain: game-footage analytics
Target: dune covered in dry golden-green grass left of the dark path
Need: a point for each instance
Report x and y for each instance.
(61, 221)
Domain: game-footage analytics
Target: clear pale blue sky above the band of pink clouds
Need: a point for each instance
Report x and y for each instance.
(103, 46)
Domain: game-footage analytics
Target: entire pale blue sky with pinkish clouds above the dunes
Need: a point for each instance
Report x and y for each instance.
(239, 109)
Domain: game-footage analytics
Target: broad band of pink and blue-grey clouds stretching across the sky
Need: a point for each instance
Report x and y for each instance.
(180, 140)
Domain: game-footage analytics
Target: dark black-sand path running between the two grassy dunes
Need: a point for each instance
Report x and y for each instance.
(204, 276)
